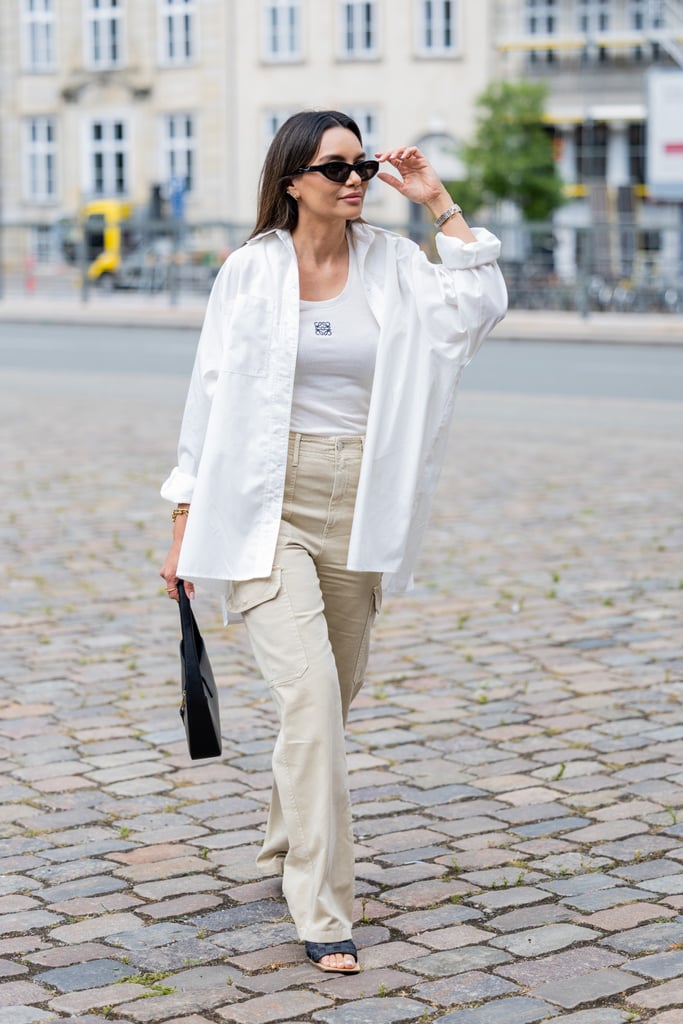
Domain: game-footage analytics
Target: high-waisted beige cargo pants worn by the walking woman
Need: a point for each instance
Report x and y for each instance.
(310, 626)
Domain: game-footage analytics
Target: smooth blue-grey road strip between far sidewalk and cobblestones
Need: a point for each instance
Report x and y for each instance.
(516, 367)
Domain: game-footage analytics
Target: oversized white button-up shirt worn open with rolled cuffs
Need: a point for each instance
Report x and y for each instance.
(234, 439)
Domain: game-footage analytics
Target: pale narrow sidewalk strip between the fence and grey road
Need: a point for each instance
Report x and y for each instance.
(131, 311)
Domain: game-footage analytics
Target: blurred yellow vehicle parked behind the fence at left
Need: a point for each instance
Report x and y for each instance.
(109, 237)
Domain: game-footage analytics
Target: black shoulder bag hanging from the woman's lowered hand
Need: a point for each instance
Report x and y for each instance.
(199, 710)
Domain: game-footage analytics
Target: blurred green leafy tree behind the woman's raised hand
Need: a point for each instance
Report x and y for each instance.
(513, 156)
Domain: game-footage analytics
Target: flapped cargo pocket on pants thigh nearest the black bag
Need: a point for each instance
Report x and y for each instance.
(269, 616)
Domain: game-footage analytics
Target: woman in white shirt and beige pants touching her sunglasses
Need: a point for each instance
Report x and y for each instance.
(313, 438)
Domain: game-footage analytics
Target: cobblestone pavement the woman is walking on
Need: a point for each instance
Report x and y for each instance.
(517, 755)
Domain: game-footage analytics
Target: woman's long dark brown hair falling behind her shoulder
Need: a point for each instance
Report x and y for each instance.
(295, 145)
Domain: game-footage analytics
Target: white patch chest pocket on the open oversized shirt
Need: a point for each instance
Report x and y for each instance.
(249, 336)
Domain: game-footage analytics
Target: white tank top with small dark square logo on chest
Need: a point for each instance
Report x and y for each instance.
(335, 362)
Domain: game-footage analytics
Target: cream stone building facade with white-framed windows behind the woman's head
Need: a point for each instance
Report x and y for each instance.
(109, 99)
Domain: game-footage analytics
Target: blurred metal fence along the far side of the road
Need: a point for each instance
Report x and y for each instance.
(546, 267)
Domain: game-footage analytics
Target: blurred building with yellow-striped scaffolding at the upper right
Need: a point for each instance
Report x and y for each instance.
(595, 58)
